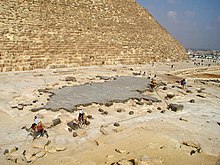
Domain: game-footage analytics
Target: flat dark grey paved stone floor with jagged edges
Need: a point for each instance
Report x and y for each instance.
(120, 89)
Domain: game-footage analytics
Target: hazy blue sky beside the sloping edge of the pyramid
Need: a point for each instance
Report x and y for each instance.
(194, 23)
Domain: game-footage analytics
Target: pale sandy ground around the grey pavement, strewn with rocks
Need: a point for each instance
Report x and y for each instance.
(152, 135)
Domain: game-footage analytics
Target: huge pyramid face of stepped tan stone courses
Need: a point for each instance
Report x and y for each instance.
(57, 33)
